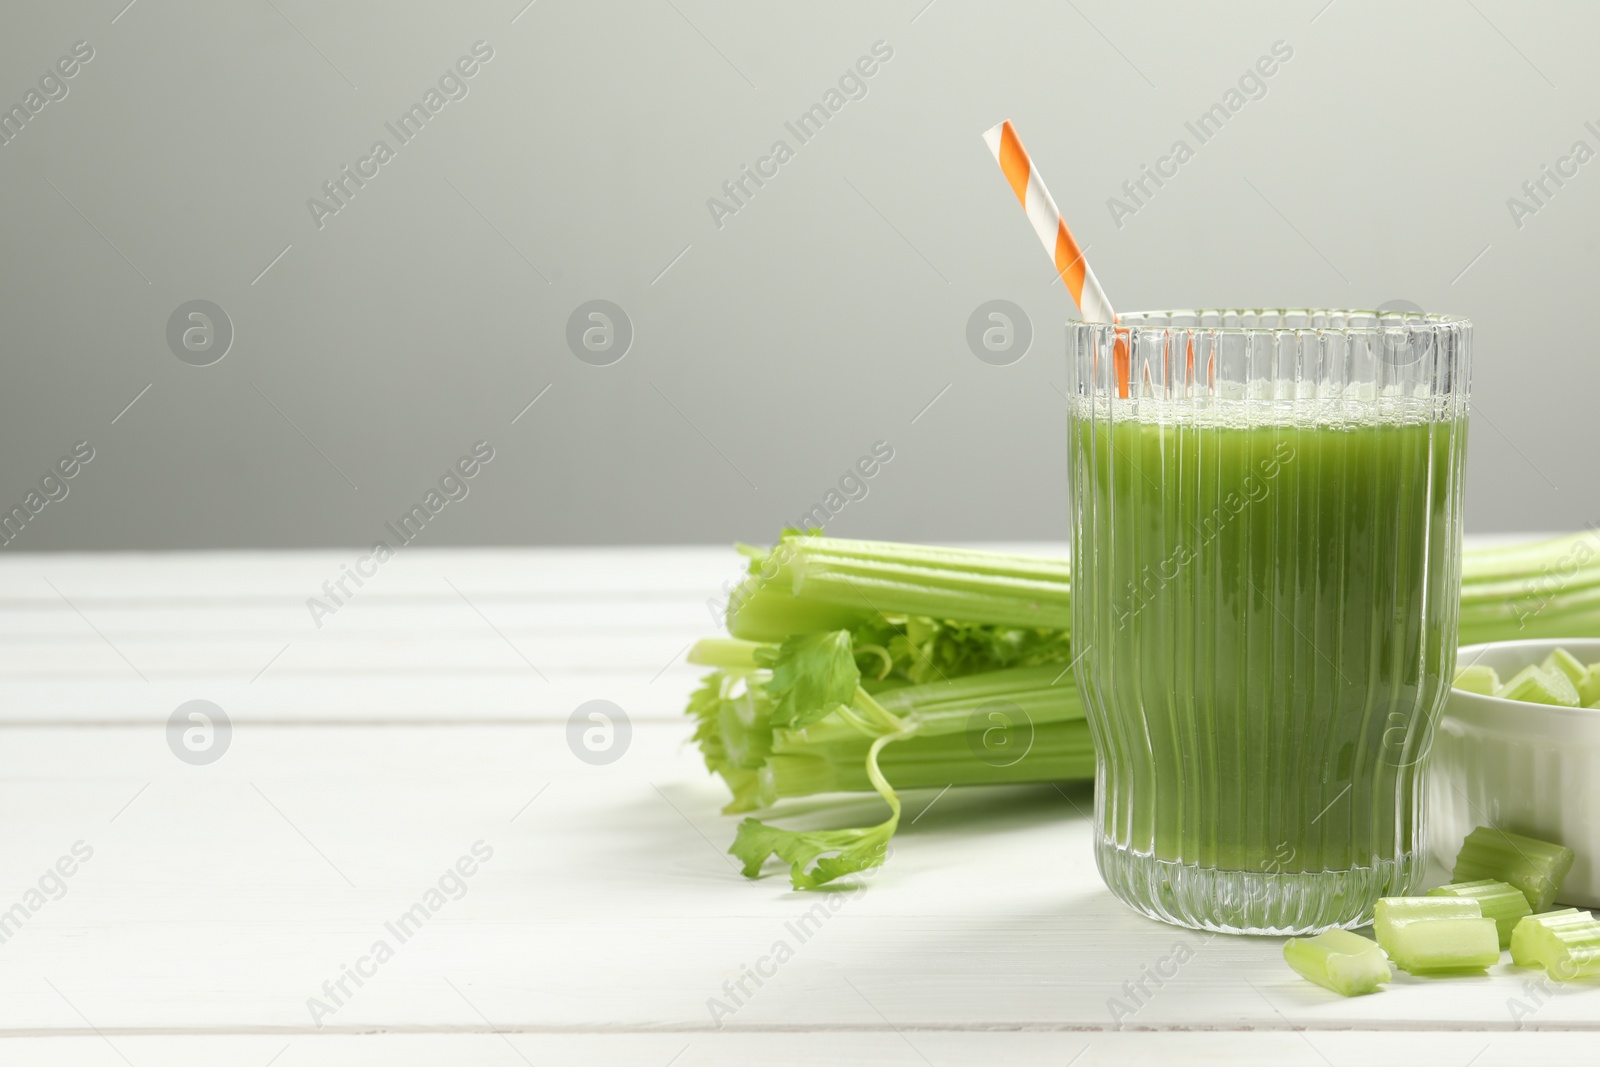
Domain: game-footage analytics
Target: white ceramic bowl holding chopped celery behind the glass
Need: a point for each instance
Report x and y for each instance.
(1527, 769)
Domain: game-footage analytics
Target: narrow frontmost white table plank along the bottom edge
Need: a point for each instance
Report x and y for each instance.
(868, 1049)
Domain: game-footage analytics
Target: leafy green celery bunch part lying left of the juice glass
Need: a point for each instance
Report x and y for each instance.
(860, 665)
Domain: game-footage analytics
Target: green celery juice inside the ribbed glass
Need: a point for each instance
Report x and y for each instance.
(1271, 610)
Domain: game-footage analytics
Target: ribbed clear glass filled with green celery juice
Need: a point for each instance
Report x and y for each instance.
(1266, 565)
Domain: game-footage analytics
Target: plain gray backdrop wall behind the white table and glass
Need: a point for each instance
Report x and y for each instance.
(777, 350)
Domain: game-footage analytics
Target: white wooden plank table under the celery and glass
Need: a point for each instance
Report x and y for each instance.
(428, 717)
